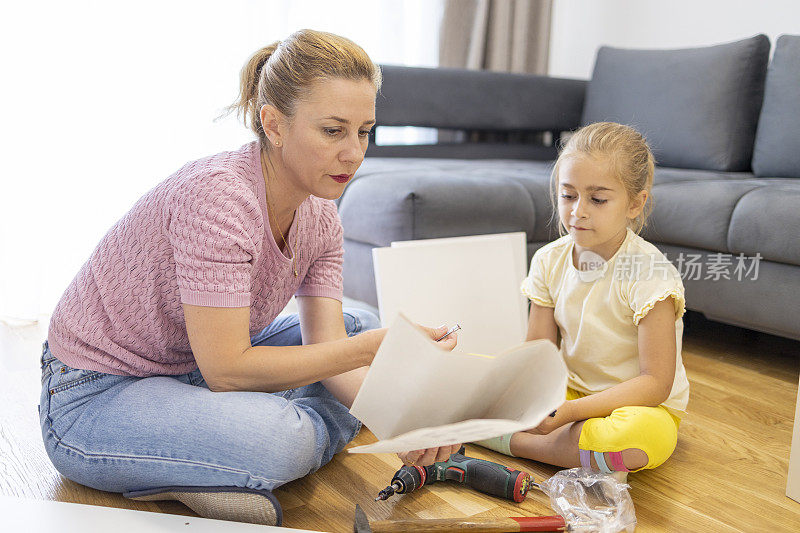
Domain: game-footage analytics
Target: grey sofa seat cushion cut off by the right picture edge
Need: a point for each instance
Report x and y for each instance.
(766, 219)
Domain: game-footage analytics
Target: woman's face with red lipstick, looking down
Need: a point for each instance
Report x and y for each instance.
(324, 143)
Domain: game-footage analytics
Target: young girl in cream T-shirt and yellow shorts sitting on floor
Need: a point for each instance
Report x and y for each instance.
(616, 302)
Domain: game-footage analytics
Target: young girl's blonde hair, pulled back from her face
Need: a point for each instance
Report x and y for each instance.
(629, 157)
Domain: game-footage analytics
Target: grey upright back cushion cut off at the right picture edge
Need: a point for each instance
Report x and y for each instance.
(776, 152)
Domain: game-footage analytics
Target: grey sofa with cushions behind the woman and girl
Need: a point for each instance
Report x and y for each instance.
(724, 124)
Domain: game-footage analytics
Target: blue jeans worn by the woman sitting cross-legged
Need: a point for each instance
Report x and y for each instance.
(123, 433)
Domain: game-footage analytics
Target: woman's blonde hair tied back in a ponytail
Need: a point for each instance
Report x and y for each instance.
(279, 74)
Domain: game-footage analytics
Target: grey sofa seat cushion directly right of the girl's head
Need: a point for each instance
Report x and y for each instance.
(696, 213)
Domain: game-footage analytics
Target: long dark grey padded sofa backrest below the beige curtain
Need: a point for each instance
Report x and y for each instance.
(478, 100)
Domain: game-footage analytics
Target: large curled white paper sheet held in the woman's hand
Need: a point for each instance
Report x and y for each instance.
(417, 395)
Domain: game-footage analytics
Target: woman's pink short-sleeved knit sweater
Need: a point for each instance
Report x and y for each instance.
(201, 237)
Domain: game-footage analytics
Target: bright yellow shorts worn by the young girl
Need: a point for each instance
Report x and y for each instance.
(653, 430)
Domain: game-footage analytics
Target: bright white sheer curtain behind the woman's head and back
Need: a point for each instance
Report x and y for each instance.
(103, 100)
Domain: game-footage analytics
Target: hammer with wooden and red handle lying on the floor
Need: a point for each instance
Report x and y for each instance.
(474, 525)
